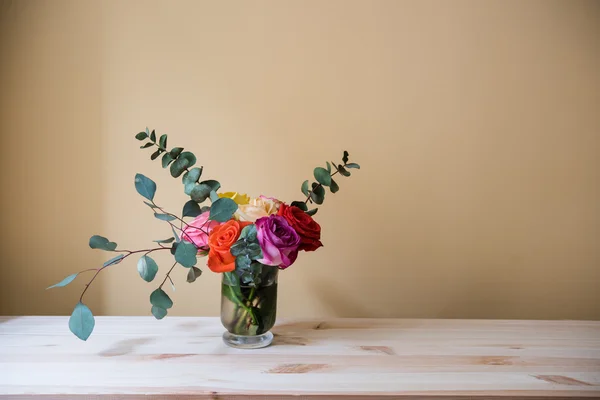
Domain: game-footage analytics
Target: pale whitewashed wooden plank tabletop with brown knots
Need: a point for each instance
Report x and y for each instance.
(184, 358)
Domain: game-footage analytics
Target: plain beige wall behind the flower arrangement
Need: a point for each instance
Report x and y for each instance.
(477, 125)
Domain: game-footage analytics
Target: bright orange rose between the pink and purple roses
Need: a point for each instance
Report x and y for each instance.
(220, 241)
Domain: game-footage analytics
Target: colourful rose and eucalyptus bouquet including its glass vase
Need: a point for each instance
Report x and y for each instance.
(246, 239)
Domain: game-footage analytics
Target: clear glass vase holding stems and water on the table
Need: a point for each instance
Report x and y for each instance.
(249, 308)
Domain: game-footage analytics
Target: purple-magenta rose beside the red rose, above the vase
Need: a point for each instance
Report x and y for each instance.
(278, 241)
